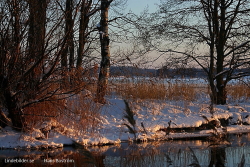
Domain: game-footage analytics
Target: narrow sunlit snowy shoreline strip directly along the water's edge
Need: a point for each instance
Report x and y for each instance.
(18, 141)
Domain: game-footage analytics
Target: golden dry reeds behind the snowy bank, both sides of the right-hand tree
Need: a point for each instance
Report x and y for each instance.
(179, 90)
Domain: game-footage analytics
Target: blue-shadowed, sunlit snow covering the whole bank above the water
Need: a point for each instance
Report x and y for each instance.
(154, 114)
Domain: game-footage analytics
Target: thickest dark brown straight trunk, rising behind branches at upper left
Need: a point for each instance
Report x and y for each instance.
(36, 40)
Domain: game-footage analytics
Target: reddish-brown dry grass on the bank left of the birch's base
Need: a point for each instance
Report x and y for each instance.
(78, 112)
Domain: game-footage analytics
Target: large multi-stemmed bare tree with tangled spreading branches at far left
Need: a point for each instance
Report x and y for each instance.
(31, 48)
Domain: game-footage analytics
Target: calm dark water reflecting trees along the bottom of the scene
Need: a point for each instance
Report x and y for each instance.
(154, 154)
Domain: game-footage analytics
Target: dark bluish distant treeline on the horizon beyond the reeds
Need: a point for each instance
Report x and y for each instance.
(163, 72)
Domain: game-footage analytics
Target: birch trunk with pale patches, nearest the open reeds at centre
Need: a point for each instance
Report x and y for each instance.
(105, 52)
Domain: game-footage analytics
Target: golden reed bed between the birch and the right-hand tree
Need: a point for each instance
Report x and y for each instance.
(156, 89)
